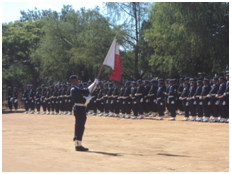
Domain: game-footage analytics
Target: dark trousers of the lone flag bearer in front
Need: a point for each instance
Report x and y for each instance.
(80, 120)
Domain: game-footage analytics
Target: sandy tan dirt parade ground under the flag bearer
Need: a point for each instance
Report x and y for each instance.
(43, 143)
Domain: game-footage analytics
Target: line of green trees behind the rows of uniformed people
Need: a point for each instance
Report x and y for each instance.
(155, 39)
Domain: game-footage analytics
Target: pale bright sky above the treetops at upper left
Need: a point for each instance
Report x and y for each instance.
(11, 10)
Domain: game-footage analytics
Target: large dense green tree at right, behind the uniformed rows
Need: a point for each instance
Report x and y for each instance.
(188, 38)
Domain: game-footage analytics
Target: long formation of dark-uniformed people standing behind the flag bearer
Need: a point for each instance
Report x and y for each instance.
(205, 100)
